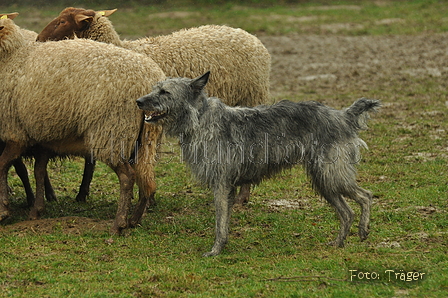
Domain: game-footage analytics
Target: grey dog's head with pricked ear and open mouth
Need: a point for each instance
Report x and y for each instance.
(174, 100)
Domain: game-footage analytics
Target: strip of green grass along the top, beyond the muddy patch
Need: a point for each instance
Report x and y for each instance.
(352, 18)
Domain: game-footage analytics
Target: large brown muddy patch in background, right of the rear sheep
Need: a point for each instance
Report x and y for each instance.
(329, 65)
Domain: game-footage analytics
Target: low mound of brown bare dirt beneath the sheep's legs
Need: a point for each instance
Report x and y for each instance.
(68, 225)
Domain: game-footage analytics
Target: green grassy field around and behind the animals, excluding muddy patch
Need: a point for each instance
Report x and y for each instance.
(277, 242)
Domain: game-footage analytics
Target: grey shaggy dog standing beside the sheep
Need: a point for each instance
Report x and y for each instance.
(229, 146)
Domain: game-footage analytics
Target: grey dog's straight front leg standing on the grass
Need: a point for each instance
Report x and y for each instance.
(223, 198)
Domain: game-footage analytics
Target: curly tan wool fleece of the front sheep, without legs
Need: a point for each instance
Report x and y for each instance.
(74, 96)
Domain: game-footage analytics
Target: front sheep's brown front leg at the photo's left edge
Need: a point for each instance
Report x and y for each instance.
(11, 152)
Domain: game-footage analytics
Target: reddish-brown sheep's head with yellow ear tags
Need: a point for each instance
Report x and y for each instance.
(70, 22)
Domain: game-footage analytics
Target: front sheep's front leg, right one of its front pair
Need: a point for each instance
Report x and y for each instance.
(40, 174)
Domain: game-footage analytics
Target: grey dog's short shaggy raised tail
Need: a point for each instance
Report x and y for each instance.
(358, 113)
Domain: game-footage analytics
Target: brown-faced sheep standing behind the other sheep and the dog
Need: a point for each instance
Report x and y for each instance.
(238, 61)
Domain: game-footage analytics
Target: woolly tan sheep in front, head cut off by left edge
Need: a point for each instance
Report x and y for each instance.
(76, 97)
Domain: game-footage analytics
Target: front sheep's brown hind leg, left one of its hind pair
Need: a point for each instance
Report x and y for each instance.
(126, 176)
